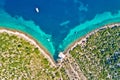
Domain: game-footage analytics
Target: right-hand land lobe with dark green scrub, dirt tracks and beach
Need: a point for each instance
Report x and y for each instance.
(95, 56)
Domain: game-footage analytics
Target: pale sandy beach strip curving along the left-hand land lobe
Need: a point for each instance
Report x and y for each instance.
(32, 41)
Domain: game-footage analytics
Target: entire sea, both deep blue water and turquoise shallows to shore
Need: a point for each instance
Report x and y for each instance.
(58, 23)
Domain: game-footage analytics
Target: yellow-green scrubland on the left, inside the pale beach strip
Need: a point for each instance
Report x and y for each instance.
(21, 60)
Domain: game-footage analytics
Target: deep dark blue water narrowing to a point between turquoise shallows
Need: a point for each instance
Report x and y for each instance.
(54, 12)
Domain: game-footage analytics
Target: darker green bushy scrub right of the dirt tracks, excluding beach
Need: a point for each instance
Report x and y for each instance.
(99, 56)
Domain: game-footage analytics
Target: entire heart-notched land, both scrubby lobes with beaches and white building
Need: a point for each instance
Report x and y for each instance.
(95, 56)
